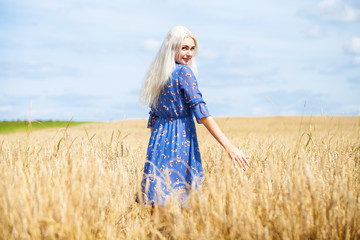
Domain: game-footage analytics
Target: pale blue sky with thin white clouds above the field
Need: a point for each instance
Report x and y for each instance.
(85, 59)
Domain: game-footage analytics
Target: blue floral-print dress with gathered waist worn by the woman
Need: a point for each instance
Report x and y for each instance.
(173, 162)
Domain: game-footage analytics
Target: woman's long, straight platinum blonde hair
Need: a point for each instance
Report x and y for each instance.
(163, 65)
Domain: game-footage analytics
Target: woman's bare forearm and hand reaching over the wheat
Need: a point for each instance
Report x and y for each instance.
(235, 154)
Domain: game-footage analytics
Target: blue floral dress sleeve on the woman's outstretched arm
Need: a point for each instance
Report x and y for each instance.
(192, 94)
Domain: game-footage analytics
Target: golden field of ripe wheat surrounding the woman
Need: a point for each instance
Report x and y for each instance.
(80, 182)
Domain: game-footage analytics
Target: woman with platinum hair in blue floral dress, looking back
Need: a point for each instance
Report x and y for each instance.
(173, 165)
